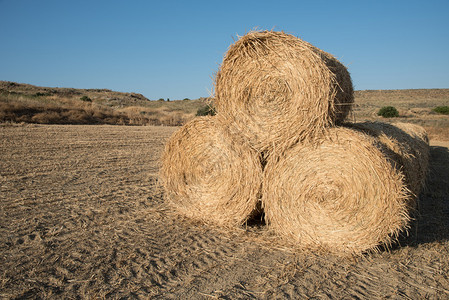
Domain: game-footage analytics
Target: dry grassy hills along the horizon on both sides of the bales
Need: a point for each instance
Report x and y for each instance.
(46, 105)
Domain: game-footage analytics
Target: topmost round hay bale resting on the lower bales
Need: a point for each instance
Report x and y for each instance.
(274, 89)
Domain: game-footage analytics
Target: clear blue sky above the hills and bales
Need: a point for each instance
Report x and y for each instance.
(171, 49)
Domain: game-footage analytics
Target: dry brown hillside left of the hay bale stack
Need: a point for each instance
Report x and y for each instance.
(47, 105)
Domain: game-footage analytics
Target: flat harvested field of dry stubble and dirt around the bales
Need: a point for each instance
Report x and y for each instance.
(82, 216)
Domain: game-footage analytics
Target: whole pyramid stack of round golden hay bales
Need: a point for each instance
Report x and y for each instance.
(278, 141)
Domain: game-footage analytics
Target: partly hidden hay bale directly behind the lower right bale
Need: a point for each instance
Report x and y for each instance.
(409, 147)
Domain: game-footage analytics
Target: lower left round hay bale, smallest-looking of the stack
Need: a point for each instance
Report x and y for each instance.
(209, 177)
